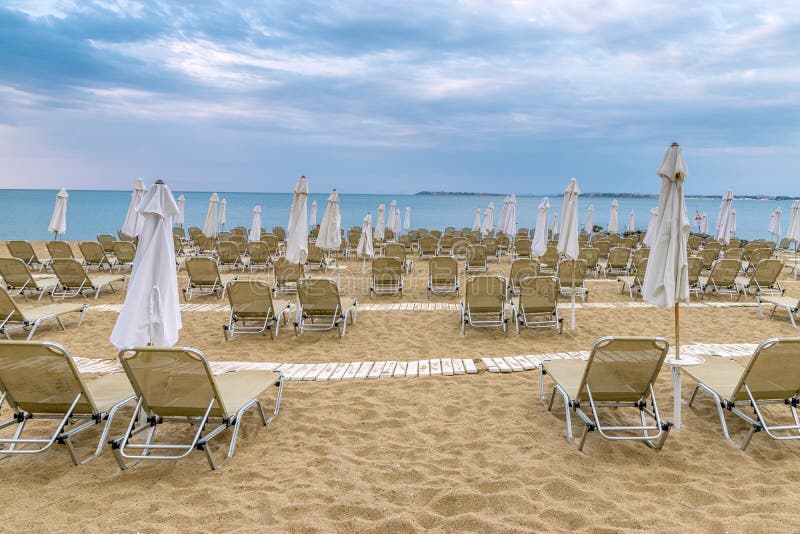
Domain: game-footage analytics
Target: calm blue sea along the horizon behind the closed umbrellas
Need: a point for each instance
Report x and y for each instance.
(25, 213)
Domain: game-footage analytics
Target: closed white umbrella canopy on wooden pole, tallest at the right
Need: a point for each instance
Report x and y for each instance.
(666, 280)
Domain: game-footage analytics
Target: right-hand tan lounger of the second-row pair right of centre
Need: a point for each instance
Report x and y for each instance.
(536, 305)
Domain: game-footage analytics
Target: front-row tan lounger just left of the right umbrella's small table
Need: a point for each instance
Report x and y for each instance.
(619, 373)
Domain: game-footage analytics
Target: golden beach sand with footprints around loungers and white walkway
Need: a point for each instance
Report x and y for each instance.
(465, 453)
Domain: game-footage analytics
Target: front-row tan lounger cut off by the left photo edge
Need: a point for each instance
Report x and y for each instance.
(42, 382)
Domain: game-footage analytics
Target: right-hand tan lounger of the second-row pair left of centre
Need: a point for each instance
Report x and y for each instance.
(321, 307)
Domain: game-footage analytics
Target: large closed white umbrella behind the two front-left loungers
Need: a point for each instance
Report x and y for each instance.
(151, 311)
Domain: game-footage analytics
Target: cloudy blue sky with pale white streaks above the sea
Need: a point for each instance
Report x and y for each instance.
(377, 96)
